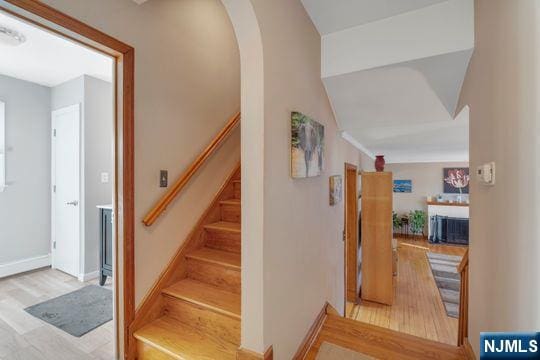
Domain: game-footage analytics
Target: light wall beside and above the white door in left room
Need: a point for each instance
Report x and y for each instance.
(96, 99)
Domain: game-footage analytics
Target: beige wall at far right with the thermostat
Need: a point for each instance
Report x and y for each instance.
(501, 88)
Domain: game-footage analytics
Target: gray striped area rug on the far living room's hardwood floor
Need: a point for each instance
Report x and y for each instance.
(448, 280)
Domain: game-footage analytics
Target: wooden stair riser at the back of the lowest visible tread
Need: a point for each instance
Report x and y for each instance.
(212, 323)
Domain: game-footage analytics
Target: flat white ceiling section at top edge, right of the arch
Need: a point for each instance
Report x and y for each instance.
(331, 16)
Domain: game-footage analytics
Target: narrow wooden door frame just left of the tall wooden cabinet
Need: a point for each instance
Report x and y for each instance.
(350, 234)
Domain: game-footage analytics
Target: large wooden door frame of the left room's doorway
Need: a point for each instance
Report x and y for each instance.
(48, 18)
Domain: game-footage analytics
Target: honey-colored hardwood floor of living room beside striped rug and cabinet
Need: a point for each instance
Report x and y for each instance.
(418, 309)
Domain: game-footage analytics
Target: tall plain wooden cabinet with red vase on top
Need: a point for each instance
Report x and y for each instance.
(376, 242)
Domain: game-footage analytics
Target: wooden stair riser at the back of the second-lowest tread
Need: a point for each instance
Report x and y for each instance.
(220, 276)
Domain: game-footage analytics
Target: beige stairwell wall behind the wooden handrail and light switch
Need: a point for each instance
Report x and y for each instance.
(187, 76)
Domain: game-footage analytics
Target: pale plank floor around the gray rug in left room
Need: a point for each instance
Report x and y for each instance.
(25, 337)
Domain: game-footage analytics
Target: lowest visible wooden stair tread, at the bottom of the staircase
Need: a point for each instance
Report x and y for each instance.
(183, 342)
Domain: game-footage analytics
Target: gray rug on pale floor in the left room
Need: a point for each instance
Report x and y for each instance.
(78, 312)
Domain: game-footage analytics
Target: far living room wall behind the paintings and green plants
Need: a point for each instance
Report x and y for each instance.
(427, 180)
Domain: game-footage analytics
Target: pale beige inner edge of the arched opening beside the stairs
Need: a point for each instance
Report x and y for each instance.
(248, 35)
